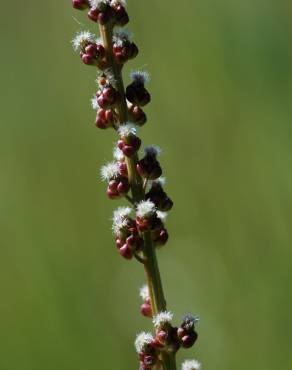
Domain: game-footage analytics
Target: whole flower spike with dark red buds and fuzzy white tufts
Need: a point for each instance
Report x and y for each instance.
(139, 229)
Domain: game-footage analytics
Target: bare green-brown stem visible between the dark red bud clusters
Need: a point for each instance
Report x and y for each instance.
(158, 301)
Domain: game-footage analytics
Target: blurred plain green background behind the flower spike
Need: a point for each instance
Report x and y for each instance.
(221, 111)
